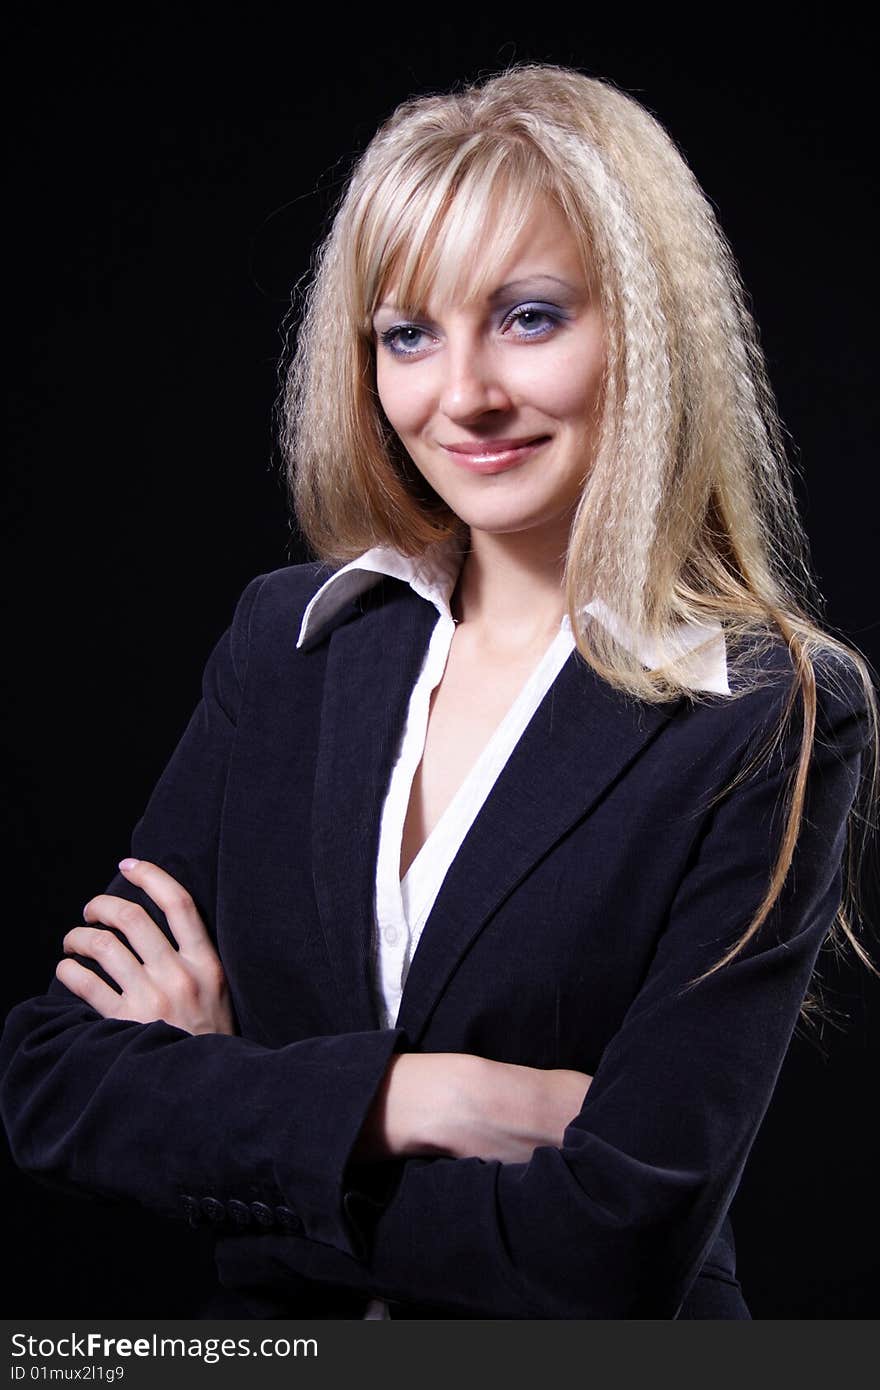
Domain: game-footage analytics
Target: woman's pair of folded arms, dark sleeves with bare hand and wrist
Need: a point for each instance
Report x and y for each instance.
(611, 1218)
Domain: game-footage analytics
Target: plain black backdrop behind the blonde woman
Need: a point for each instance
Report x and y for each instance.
(168, 177)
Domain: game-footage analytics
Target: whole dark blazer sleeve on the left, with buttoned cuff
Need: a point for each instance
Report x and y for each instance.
(152, 1114)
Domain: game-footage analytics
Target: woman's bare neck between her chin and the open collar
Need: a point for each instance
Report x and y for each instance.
(512, 586)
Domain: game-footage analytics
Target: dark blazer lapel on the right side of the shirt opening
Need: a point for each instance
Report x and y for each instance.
(582, 739)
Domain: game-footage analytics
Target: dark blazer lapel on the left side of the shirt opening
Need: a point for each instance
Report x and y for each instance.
(372, 667)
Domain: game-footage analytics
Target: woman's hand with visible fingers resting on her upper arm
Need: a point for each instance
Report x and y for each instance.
(187, 988)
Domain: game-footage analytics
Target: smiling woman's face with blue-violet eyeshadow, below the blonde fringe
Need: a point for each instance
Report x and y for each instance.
(496, 401)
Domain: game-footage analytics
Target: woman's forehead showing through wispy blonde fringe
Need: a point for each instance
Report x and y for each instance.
(465, 263)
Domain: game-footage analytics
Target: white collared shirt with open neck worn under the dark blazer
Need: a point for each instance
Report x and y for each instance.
(402, 907)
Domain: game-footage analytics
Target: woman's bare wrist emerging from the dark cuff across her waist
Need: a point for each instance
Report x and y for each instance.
(461, 1106)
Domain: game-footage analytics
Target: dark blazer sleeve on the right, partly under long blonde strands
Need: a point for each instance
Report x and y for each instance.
(618, 1221)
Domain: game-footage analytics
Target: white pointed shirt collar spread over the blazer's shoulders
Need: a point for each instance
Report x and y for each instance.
(434, 575)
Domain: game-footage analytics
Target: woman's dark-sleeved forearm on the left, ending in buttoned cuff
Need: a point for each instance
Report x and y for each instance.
(151, 1114)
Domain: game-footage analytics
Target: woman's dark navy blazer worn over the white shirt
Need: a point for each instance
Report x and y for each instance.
(596, 883)
